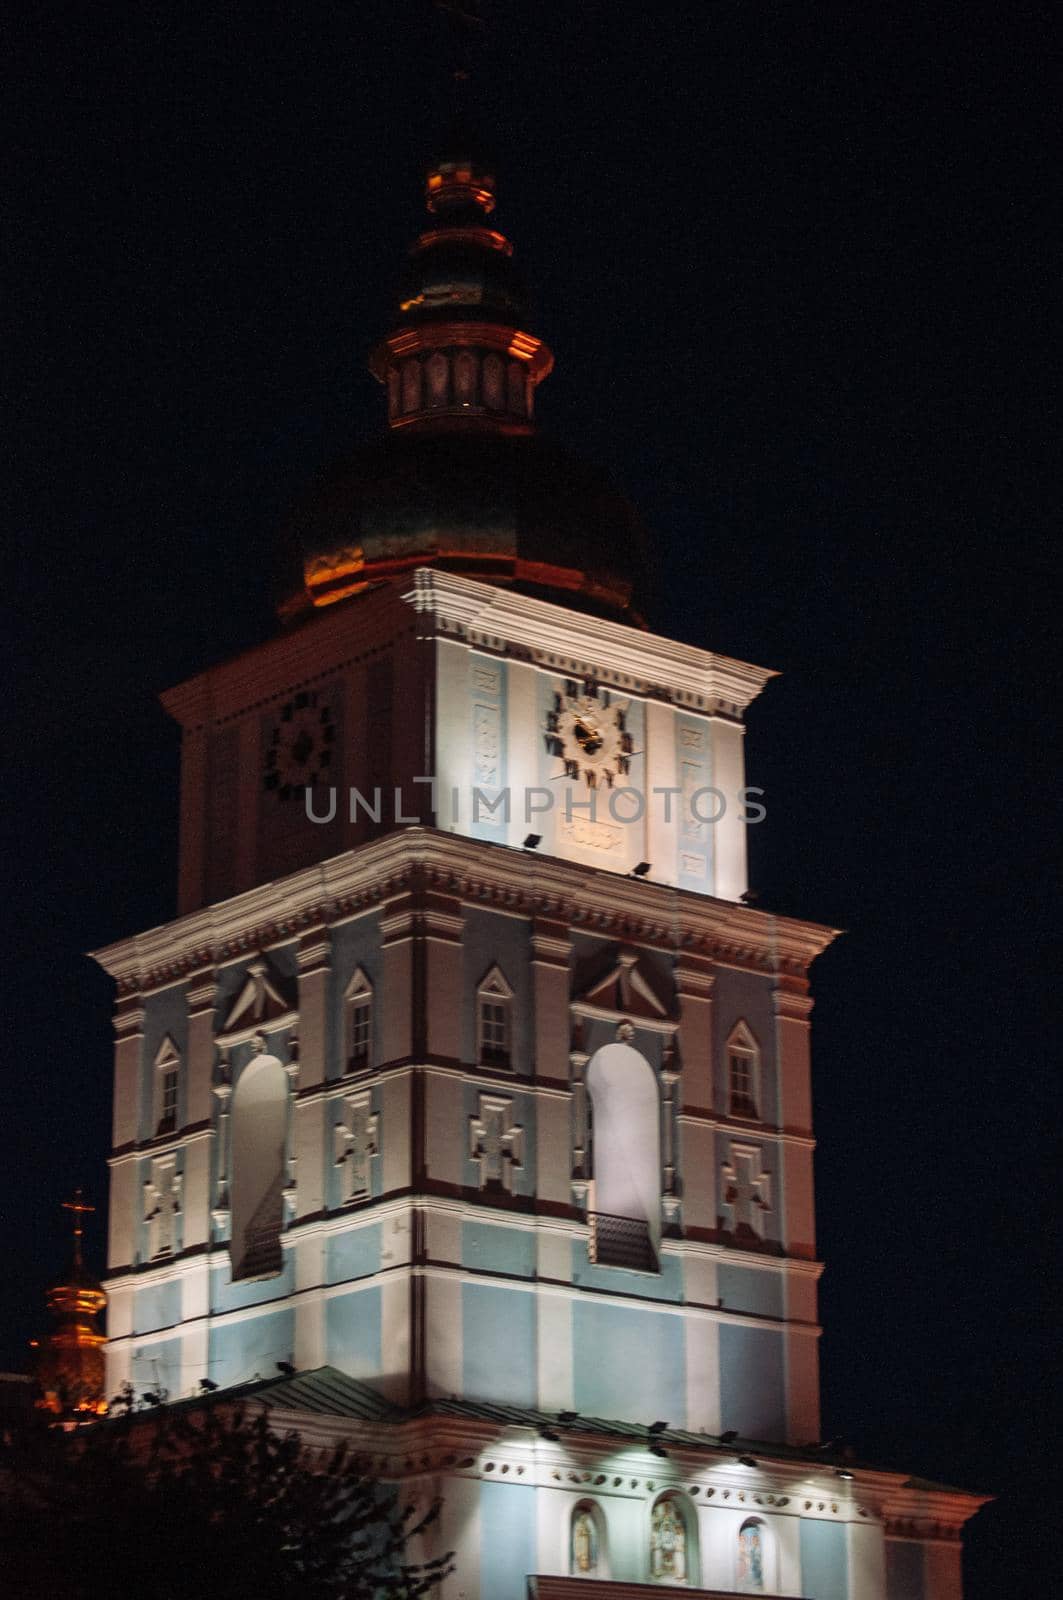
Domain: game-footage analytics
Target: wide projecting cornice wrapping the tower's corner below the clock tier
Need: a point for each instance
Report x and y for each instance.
(494, 876)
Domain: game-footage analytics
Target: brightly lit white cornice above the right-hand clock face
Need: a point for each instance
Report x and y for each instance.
(566, 641)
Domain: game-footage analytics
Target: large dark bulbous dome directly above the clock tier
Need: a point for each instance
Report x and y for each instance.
(507, 508)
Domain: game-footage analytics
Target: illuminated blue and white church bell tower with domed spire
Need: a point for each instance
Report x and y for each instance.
(468, 1082)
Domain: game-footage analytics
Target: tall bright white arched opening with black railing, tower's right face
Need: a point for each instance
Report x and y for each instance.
(625, 1158)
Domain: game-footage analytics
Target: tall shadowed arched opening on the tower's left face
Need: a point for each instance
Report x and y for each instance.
(260, 1129)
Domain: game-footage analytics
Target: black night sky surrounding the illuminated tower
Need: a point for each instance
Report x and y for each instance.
(795, 265)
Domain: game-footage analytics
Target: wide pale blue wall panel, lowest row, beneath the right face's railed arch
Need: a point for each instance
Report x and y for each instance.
(612, 1343)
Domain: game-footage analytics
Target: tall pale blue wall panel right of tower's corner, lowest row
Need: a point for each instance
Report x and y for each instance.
(499, 1345)
